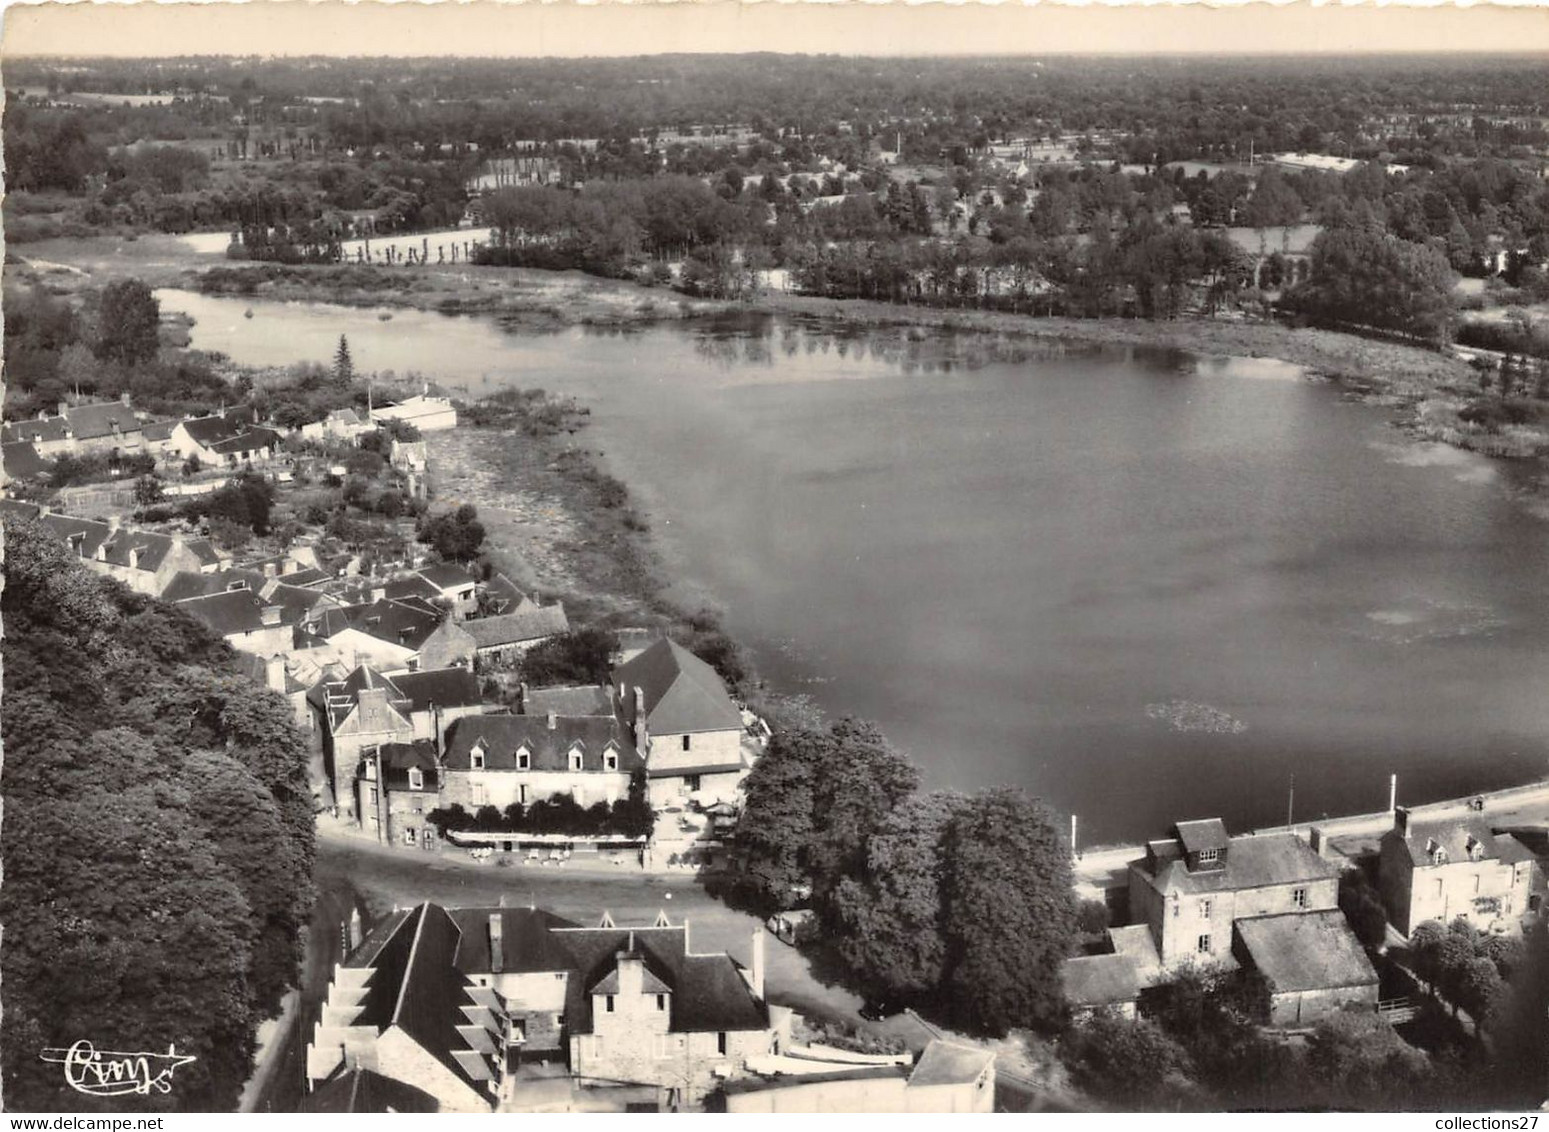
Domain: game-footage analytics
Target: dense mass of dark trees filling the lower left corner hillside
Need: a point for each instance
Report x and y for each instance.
(159, 839)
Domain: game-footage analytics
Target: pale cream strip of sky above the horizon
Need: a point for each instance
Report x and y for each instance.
(862, 29)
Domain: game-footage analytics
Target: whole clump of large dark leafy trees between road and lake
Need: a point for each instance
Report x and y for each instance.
(955, 904)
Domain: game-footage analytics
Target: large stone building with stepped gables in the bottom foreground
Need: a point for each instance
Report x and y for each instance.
(504, 1009)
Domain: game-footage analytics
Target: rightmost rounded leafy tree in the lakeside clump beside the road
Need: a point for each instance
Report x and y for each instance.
(1009, 913)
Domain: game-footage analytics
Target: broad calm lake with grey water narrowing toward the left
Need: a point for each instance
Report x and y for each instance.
(1145, 586)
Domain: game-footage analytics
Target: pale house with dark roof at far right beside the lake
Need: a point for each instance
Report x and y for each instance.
(1458, 868)
